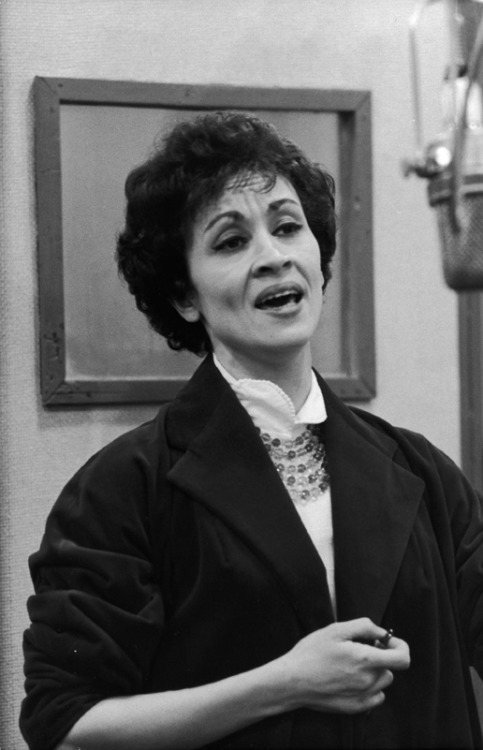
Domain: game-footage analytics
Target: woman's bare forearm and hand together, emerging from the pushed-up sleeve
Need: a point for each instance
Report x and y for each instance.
(329, 670)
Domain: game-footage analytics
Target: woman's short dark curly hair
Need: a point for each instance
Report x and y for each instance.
(185, 173)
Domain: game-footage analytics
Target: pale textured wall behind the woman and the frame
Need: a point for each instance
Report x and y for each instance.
(299, 43)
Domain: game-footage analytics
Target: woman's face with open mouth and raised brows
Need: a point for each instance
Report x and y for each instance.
(255, 271)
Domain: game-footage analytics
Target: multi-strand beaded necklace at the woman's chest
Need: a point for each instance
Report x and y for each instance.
(301, 463)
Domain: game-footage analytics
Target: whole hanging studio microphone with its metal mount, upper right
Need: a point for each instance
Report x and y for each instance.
(453, 162)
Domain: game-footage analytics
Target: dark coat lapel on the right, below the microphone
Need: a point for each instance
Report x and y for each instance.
(374, 505)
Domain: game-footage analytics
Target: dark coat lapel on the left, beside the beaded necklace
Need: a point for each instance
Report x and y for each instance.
(225, 466)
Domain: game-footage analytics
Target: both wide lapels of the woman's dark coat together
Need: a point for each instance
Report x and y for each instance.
(224, 466)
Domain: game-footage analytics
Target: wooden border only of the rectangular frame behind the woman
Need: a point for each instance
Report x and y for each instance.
(355, 376)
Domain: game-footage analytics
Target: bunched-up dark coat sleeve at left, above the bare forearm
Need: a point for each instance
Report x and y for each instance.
(97, 612)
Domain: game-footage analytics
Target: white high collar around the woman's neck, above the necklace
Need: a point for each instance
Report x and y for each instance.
(271, 409)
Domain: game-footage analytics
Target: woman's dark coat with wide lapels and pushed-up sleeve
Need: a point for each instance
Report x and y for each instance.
(175, 558)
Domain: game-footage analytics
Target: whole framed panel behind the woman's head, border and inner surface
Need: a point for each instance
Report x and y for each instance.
(95, 347)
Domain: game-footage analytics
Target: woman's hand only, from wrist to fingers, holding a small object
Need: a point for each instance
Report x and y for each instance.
(340, 668)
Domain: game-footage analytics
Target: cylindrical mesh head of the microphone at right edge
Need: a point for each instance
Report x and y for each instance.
(460, 223)
